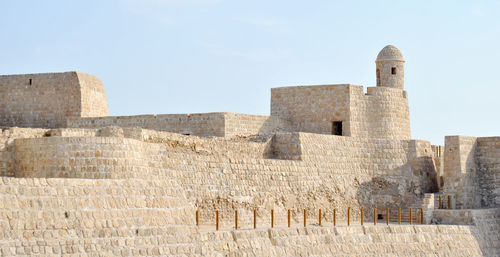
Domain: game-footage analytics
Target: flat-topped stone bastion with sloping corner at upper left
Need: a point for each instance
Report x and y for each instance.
(46, 100)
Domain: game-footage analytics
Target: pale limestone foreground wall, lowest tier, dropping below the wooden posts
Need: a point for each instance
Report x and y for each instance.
(134, 217)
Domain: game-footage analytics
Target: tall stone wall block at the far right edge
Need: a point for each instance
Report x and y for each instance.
(472, 171)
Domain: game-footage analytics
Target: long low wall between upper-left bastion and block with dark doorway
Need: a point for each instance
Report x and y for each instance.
(222, 124)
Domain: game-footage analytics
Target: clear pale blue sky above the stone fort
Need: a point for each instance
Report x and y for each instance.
(188, 56)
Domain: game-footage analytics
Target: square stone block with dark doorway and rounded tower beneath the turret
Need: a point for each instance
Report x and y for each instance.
(380, 113)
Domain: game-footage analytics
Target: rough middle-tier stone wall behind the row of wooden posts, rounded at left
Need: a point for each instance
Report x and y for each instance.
(216, 173)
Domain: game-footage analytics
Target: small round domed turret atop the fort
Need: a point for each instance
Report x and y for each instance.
(390, 68)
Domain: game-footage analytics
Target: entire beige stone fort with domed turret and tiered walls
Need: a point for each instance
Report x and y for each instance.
(78, 182)
